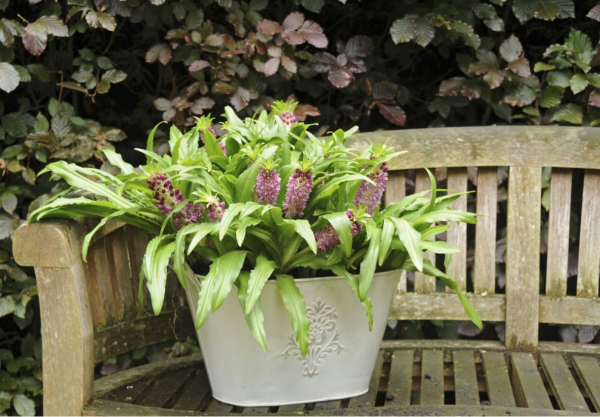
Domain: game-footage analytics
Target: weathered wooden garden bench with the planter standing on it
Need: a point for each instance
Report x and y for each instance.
(90, 310)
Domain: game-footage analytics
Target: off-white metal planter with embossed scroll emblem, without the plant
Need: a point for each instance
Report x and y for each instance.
(340, 358)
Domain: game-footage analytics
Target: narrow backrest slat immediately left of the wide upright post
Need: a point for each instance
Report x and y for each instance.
(484, 270)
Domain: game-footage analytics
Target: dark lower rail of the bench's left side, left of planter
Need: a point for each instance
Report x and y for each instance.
(129, 335)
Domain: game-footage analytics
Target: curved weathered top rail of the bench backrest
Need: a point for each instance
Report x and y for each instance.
(533, 146)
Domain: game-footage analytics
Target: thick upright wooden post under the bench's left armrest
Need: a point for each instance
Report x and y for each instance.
(68, 339)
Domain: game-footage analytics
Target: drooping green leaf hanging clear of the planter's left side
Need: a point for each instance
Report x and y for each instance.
(156, 260)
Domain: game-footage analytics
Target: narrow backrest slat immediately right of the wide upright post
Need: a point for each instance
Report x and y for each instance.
(558, 232)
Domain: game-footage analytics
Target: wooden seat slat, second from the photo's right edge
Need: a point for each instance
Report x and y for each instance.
(563, 385)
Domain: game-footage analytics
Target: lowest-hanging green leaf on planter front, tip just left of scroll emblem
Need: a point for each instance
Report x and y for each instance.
(296, 307)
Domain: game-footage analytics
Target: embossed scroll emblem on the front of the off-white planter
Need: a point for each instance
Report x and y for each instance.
(323, 337)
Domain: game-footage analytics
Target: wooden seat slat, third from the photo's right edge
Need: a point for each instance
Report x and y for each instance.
(529, 387)
